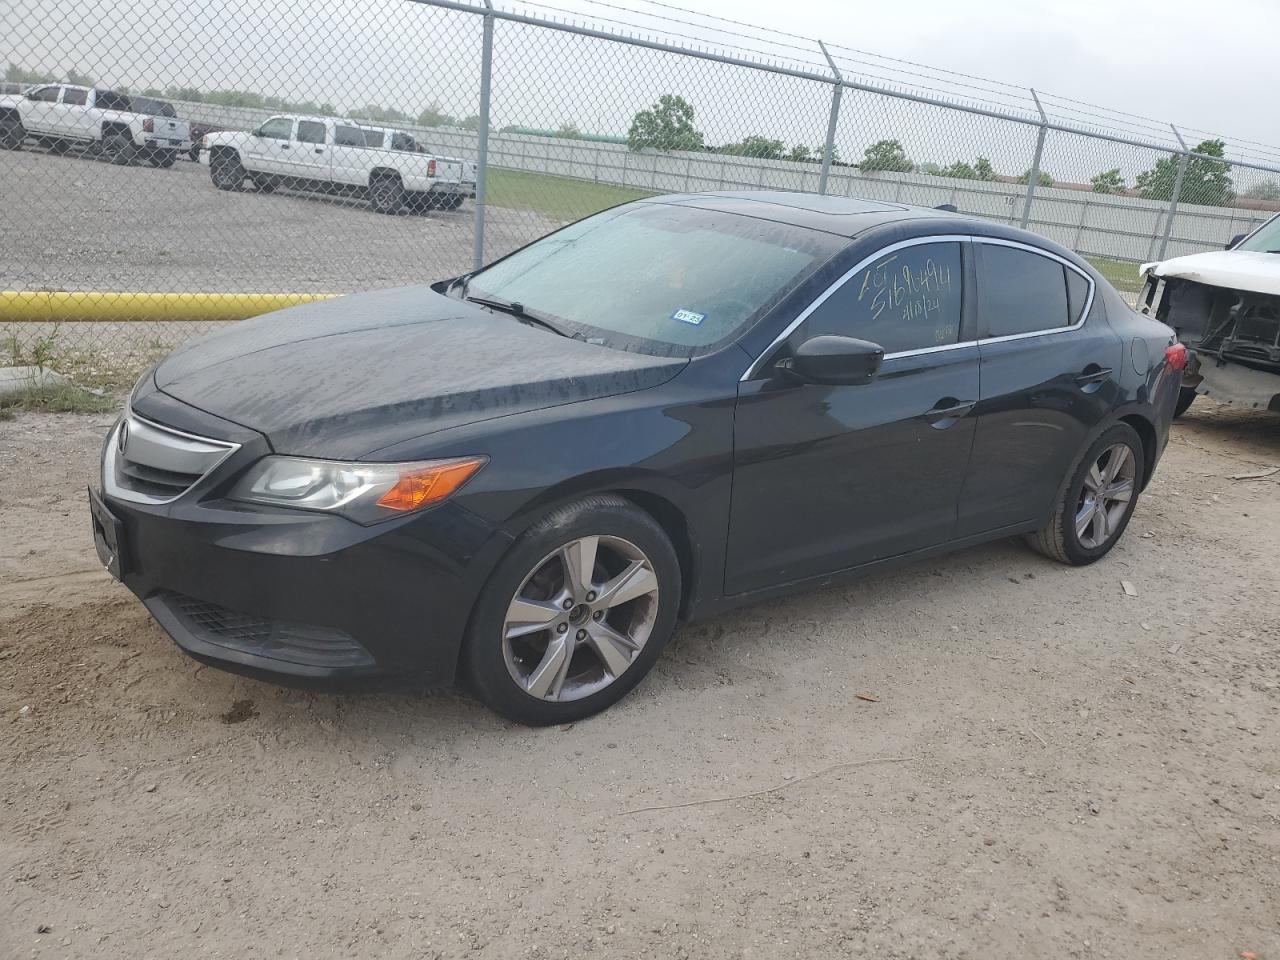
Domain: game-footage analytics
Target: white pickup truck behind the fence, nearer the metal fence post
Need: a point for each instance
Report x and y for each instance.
(327, 156)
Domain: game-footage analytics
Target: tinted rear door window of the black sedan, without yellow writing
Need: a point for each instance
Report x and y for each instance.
(1021, 292)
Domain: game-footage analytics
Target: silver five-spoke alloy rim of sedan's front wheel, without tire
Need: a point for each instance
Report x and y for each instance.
(580, 619)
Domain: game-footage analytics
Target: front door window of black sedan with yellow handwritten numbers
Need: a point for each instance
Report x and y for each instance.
(909, 299)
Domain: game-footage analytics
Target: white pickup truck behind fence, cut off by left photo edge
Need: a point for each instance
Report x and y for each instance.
(62, 115)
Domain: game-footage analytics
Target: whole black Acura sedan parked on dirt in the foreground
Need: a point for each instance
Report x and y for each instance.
(528, 476)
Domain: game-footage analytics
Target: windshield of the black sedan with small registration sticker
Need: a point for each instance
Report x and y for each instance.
(659, 278)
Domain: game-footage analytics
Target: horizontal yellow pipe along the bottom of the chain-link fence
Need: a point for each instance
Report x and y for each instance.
(65, 307)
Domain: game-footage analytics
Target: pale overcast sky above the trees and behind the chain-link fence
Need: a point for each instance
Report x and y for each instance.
(1201, 65)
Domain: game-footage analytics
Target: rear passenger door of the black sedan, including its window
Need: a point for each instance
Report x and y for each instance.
(1050, 371)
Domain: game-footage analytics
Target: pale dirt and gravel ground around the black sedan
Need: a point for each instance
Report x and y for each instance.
(986, 756)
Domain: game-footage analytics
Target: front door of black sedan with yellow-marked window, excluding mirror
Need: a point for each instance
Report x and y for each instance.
(829, 478)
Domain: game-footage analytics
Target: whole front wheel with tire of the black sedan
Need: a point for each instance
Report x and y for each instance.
(518, 666)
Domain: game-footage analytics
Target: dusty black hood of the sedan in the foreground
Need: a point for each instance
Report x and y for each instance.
(348, 377)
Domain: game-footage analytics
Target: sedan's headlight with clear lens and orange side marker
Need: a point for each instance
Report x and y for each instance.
(362, 492)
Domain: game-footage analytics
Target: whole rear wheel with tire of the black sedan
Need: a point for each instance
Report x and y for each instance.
(1063, 538)
